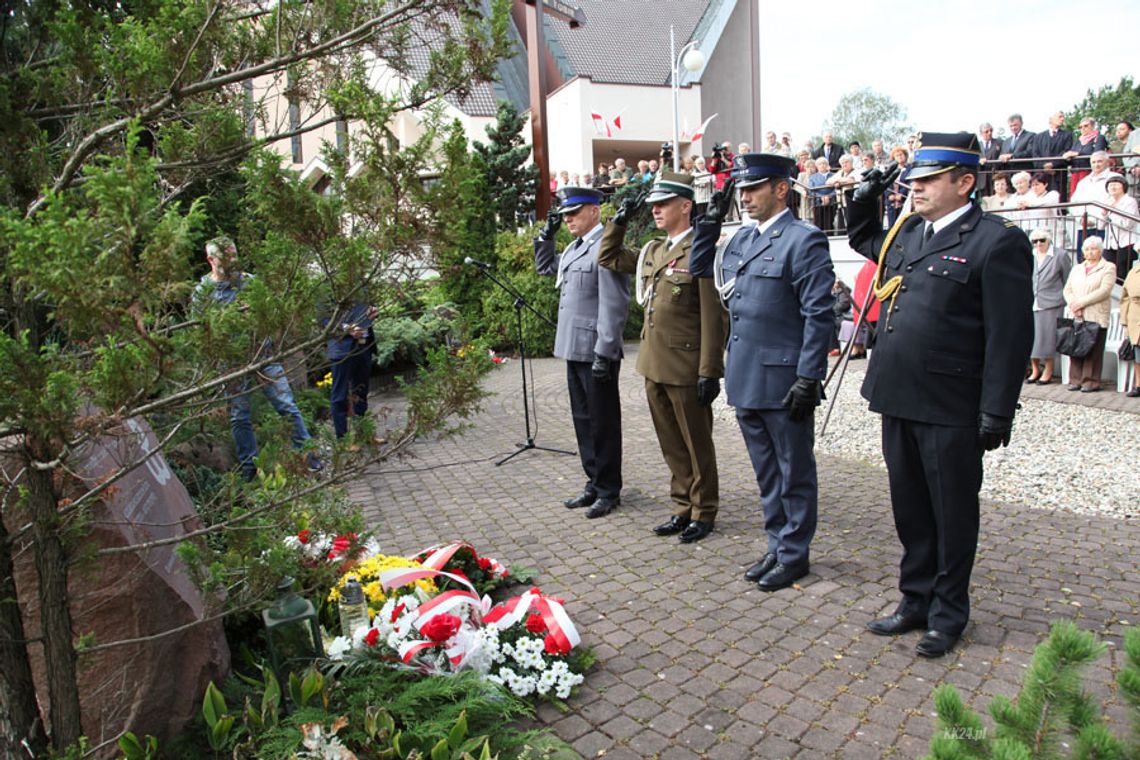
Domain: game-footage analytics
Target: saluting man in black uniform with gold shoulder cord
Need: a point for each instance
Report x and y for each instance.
(948, 367)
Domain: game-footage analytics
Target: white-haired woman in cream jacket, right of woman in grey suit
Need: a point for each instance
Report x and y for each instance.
(1088, 293)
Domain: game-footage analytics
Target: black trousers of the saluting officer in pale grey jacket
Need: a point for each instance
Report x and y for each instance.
(597, 412)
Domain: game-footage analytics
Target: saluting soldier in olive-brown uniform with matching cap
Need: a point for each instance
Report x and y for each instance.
(682, 350)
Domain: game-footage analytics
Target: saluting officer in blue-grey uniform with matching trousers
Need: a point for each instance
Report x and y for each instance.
(776, 279)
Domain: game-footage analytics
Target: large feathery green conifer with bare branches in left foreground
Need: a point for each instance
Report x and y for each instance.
(117, 119)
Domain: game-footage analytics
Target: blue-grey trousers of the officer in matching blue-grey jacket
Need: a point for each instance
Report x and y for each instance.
(785, 467)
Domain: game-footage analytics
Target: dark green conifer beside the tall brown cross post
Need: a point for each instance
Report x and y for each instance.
(507, 170)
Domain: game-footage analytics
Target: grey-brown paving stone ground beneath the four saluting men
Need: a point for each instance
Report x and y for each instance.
(696, 663)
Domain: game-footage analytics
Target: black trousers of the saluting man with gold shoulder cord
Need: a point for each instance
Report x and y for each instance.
(935, 473)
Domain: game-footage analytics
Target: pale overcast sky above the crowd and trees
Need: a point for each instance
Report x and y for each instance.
(951, 66)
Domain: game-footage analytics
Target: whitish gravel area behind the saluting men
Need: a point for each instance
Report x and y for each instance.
(1062, 456)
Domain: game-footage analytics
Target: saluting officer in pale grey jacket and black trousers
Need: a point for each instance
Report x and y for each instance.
(592, 316)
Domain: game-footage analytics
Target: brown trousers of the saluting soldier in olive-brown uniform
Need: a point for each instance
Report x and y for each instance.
(685, 430)
